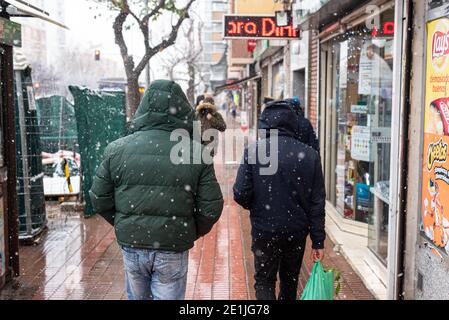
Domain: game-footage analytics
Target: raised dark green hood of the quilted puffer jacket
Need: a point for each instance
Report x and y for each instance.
(163, 107)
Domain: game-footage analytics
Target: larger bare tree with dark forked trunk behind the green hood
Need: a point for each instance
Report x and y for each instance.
(142, 14)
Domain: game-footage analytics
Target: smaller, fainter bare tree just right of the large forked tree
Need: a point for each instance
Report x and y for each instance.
(186, 54)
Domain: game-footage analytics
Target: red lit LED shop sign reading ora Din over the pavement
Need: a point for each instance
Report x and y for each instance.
(256, 27)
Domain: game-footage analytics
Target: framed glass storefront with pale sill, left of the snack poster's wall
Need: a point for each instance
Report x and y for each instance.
(359, 137)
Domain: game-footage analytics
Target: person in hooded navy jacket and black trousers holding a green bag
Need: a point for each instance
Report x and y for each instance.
(284, 207)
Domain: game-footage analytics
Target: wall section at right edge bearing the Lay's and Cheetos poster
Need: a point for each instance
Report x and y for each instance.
(427, 238)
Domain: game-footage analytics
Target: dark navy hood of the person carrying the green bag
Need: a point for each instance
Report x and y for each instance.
(280, 115)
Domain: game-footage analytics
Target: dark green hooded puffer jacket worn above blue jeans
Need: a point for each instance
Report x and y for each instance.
(156, 204)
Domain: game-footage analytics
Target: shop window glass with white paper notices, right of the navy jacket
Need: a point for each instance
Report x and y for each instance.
(363, 72)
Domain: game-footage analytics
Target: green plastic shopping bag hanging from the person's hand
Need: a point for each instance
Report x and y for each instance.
(321, 284)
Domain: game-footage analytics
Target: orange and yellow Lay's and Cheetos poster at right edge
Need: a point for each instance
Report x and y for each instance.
(435, 187)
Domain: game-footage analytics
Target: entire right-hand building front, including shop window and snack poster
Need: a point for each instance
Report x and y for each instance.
(379, 75)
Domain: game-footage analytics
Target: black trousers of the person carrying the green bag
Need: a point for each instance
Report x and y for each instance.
(277, 255)
